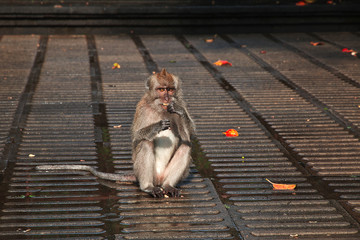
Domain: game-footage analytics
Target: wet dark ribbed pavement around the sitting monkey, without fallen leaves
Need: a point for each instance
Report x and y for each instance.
(296, 107)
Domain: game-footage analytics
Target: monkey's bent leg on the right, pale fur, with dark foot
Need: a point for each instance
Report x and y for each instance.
(177, 169)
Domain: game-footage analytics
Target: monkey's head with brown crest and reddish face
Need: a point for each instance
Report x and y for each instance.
(163, 88)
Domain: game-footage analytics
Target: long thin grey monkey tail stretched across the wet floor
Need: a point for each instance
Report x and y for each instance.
(102, 175)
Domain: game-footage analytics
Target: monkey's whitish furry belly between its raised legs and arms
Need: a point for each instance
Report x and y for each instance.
(165, 145)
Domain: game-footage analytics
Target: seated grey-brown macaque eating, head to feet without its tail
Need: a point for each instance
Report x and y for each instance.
(161, 136)
